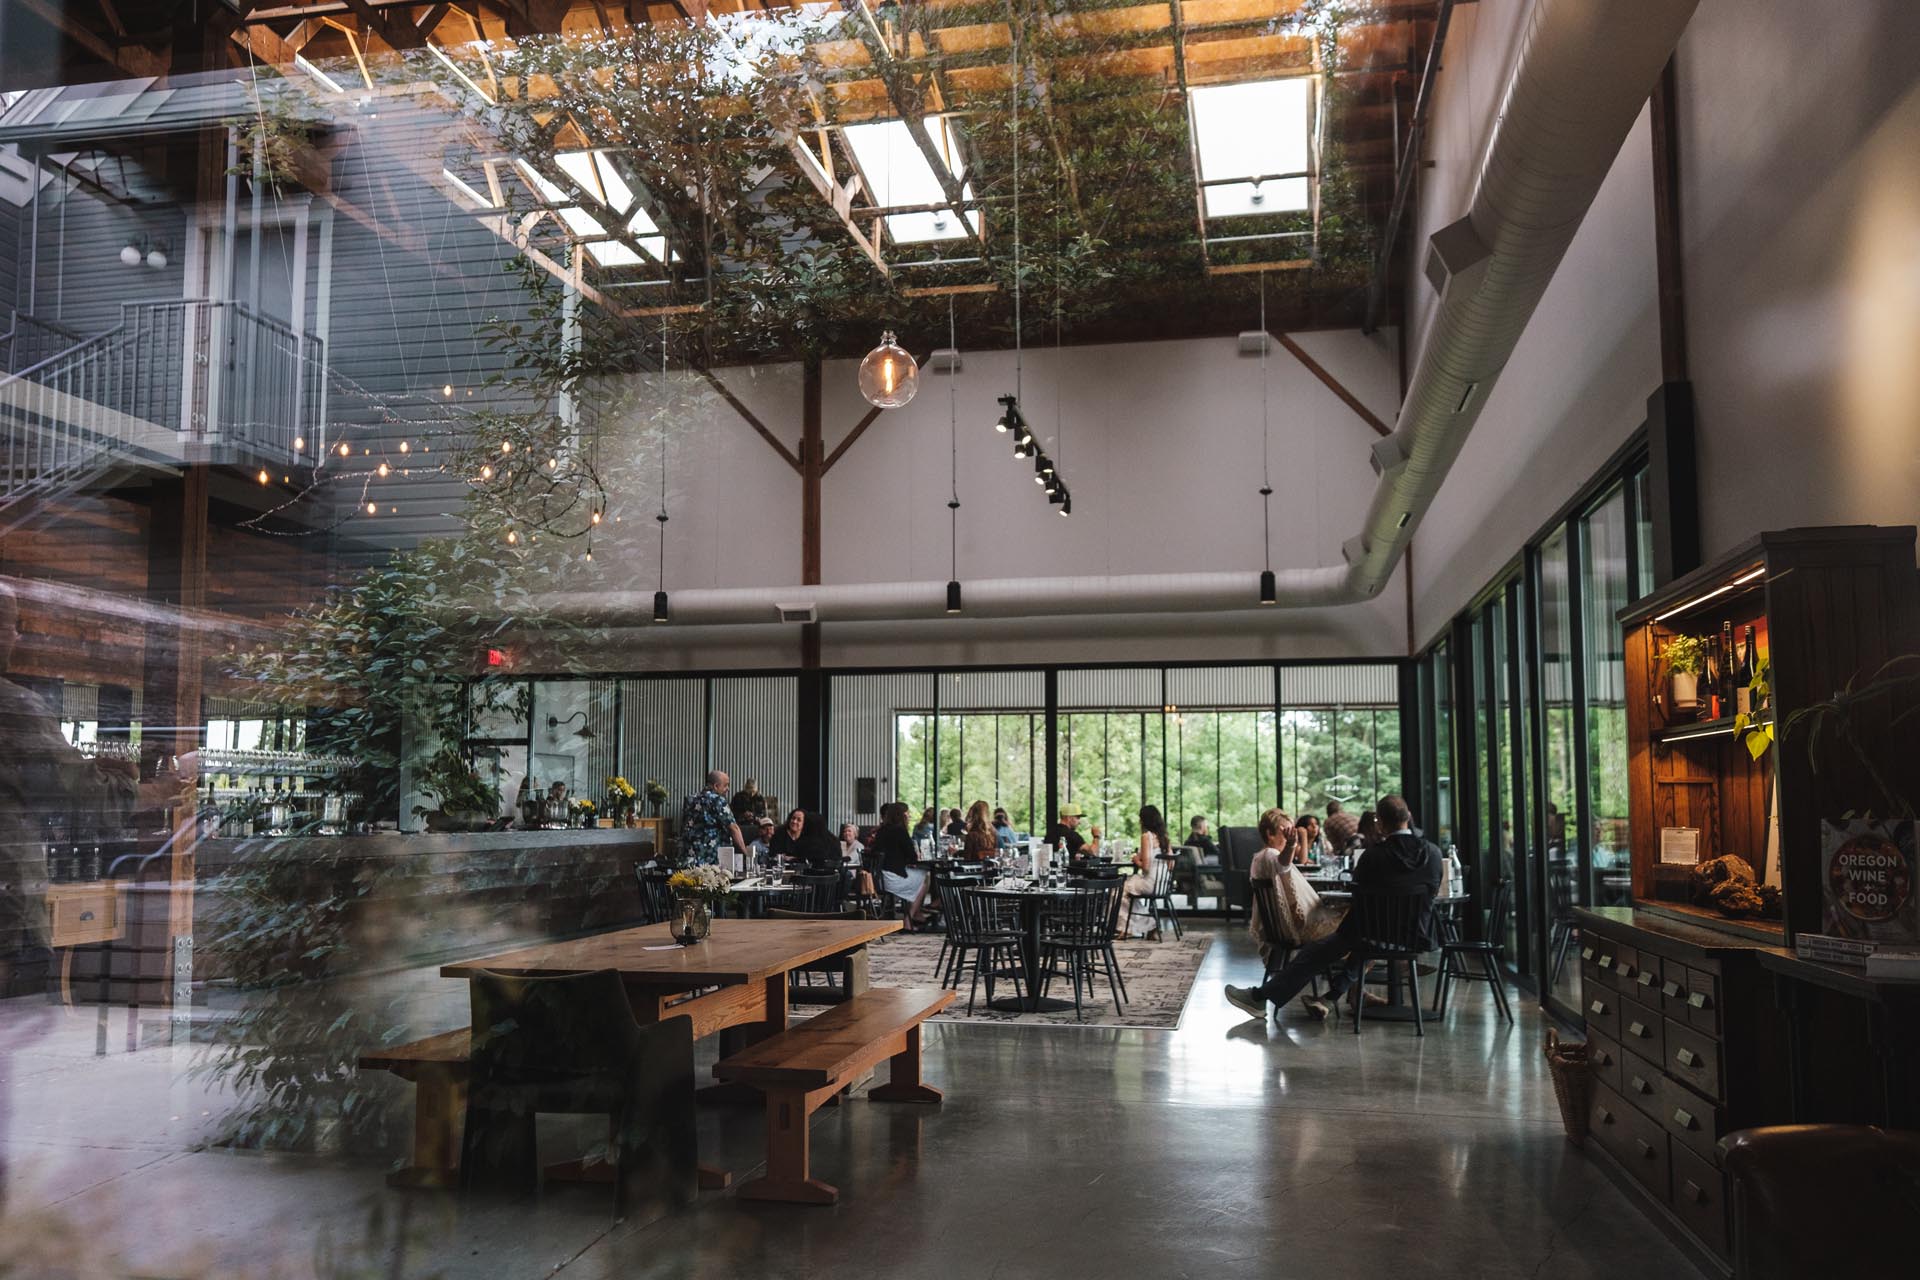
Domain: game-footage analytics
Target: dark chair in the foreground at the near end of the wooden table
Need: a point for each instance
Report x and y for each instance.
(569, 1045)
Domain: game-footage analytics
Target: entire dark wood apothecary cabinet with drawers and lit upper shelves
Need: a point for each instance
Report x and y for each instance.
(1696, 1024)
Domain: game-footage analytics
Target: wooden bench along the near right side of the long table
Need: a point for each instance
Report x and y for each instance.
(805, 1066)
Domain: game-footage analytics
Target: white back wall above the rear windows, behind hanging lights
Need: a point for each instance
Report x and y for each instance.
(1161, 448)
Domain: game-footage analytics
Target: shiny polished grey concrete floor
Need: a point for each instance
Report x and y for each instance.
(1222, 1150)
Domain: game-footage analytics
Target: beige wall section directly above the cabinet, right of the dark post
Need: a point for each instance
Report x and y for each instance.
(1800, 162)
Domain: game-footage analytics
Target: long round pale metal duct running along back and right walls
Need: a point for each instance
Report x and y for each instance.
(1583, 74)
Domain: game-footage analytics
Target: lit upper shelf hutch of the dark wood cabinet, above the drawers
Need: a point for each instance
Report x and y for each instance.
(1829, 607)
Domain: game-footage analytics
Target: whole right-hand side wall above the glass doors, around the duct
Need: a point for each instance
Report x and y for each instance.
(1800, 160)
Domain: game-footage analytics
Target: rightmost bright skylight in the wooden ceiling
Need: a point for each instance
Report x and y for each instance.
(1255, 131)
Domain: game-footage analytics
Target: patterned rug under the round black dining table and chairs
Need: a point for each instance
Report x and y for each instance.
(1159, 978)
